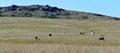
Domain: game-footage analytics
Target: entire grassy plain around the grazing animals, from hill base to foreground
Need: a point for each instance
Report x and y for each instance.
(19, 33)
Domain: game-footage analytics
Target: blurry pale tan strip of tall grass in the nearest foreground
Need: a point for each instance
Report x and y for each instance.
(56, 48)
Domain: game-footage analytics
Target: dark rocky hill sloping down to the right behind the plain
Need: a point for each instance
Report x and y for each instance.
(46, 11)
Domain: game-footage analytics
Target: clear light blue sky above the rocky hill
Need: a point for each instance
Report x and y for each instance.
(105, 7)
